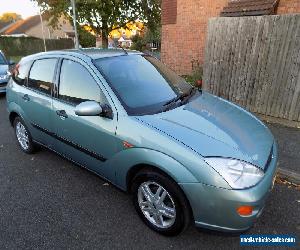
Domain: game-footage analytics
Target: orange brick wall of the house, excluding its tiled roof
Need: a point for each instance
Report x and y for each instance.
(183, 37)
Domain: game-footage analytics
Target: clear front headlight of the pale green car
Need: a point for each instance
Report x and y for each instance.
(238, 174)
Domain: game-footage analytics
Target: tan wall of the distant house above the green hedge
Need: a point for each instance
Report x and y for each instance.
(49, 32)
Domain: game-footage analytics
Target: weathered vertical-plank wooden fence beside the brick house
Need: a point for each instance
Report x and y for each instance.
(255, 62)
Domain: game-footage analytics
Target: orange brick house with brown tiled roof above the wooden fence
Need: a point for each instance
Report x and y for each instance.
(184, 24)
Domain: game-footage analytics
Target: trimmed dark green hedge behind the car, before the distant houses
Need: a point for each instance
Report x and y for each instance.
(23, 46)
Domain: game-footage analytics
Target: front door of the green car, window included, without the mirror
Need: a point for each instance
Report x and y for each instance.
(88, 140)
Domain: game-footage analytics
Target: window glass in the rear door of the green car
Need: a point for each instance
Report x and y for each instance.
(42, 74)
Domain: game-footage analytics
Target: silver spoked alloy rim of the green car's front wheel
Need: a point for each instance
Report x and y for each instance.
(156, 204)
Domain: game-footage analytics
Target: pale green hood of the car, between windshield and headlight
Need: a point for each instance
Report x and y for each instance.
(212, 126)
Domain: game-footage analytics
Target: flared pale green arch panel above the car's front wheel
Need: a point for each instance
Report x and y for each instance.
(126, 159)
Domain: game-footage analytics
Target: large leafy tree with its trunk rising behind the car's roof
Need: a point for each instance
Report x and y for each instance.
(103, 16)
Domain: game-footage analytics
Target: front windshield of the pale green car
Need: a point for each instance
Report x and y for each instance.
(142, 83)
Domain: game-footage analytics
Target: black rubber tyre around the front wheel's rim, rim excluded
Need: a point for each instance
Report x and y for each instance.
(182, 213)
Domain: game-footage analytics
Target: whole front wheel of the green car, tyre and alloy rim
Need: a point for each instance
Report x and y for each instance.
(155, 212)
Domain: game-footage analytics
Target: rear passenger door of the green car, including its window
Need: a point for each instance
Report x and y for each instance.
(36, 99)
